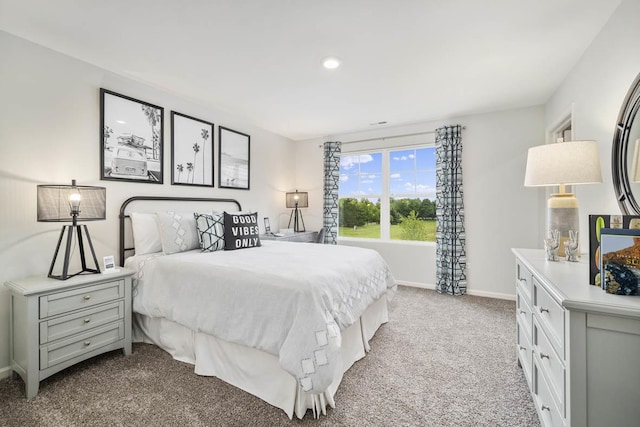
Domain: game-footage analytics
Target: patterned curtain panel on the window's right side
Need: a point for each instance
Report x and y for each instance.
(451, 259)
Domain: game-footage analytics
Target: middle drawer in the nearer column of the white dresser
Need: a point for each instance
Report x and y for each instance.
(551, 364)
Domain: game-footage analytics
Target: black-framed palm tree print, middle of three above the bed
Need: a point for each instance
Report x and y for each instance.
(191, 151)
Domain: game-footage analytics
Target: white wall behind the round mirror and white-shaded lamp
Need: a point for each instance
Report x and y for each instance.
(596, 87)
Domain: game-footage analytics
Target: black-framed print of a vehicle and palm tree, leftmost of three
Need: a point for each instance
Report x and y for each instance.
(131, 134)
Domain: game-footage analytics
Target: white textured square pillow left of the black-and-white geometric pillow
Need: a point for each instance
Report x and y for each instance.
(177, 232)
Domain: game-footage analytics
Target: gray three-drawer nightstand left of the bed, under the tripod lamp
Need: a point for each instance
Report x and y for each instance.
(57, 323)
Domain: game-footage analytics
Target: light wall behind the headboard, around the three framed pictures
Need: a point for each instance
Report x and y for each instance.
(49, 133)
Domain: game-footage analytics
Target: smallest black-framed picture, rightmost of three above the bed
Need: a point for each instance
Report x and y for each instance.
(234, 160)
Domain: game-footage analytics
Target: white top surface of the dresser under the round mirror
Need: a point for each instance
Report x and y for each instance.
(568, 283)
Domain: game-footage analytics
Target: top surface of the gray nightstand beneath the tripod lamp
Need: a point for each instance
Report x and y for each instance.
(42, 283)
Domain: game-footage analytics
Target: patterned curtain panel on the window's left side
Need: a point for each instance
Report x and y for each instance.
(331, 182)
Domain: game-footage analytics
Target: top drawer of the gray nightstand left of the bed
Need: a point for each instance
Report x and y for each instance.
(62, 302)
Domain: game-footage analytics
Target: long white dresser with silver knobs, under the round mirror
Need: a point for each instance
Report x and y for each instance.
(578, 346)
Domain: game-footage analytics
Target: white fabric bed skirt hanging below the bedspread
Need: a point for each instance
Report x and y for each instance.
(256, 371)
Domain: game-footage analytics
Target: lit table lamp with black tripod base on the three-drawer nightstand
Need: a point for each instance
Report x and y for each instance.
(72, 203)
